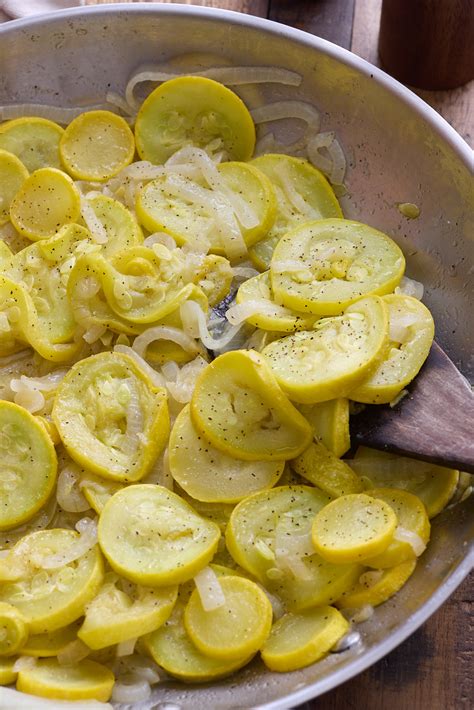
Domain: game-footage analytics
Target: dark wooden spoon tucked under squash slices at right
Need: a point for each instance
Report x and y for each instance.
(434, 422)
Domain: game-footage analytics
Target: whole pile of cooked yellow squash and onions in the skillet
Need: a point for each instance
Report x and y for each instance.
(182, 338)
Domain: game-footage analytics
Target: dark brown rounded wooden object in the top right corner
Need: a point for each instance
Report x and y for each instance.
(428, 43)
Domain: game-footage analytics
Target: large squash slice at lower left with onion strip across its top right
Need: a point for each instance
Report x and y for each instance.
(54, 596)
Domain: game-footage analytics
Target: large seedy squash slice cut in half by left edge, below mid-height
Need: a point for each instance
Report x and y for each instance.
(28, 465)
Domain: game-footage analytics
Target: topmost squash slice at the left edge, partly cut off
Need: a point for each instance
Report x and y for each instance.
(34, 140)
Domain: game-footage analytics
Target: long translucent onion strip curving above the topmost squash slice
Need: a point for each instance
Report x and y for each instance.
(231, 76)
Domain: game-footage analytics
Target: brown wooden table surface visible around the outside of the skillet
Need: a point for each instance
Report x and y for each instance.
(434, 668)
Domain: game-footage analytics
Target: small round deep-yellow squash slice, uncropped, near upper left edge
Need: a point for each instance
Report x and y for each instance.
(47, 200)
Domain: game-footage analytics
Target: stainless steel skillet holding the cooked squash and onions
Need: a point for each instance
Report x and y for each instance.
(399, 151)
